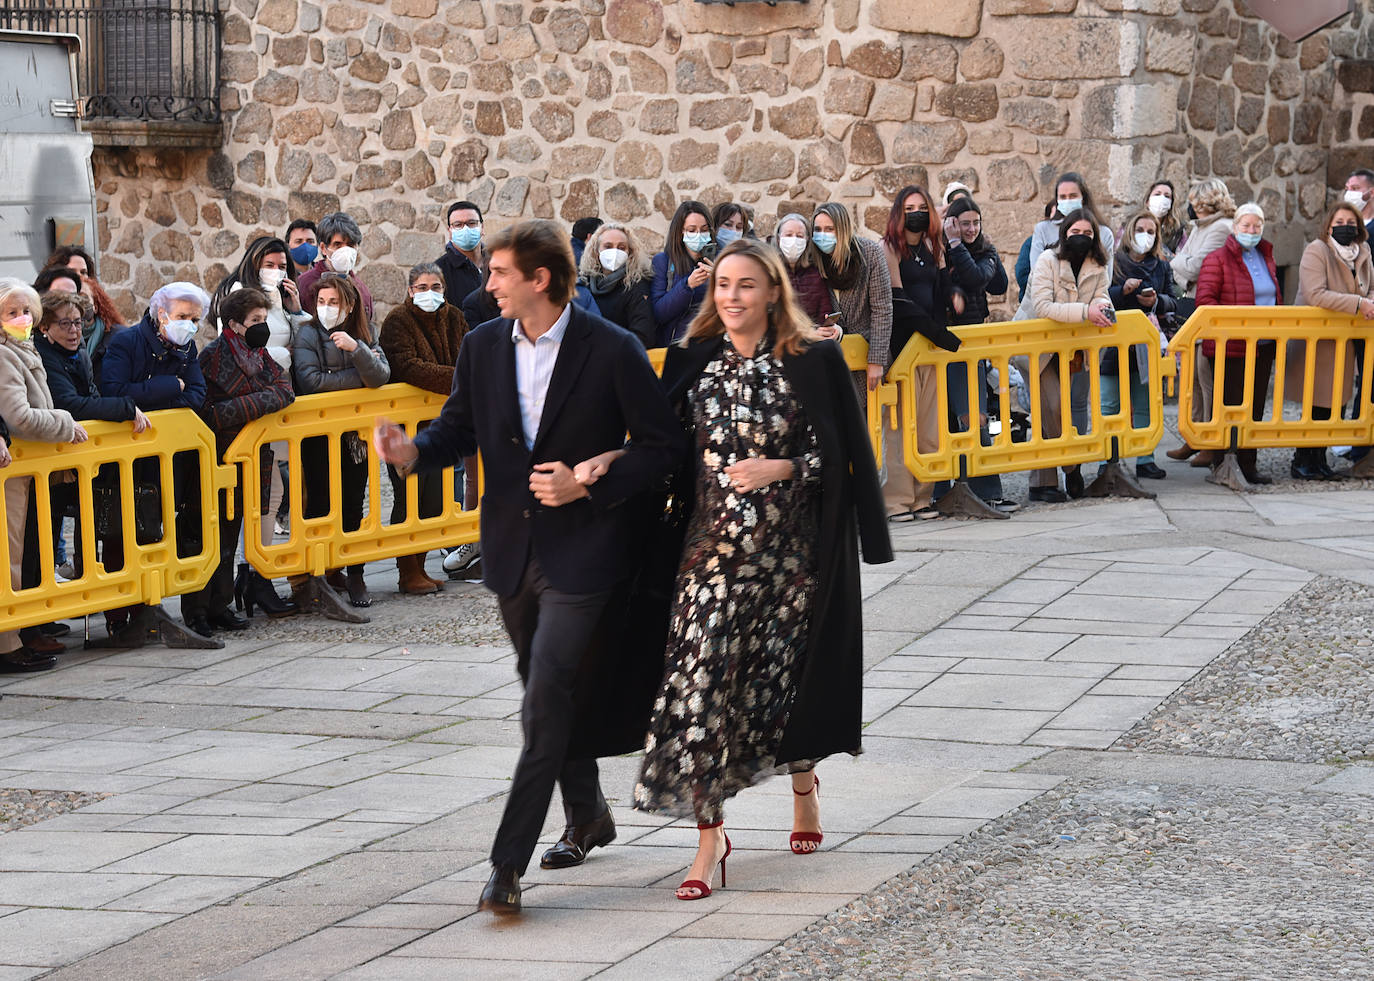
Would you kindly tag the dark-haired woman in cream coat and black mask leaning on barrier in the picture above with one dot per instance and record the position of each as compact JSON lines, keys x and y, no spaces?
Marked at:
{"x":1068,"y":284}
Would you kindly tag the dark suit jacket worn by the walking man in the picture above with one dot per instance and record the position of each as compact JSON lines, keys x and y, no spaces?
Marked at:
{"x":602,"y":387}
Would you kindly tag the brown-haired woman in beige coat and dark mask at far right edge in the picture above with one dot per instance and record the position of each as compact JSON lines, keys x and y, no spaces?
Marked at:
{"x":1336,"y":275}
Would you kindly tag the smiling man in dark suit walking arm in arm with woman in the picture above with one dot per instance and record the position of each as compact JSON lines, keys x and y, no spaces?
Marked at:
{"x":541,"y":391}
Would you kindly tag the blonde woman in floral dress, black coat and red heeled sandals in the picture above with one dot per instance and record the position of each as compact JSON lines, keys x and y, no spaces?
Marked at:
{"x":766,"y":641}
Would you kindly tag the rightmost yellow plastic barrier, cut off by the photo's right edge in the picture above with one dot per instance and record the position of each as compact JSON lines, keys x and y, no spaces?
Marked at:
{"x":1233,"y":425}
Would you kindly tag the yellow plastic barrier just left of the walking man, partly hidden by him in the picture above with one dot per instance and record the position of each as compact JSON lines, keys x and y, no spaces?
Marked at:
{"x":318,"y":545}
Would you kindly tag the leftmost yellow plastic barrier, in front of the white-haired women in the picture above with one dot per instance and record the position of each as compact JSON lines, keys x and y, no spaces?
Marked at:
{"x":150,"y":571}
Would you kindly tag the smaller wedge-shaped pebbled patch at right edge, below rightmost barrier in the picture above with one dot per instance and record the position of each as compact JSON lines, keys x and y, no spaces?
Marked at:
{"x":1298,"y":688}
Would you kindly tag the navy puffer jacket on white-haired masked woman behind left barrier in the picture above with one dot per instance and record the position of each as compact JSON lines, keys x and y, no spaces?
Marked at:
{"x":139,"y":365}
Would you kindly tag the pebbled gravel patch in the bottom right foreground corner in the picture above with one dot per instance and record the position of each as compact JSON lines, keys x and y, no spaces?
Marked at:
{"x":1120,"y":881}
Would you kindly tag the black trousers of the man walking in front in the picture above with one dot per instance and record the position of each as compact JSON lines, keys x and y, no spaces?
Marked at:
{"x":552,"y":633}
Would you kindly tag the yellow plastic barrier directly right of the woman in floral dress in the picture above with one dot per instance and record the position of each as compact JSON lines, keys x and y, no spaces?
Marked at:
{"x":998,"y":344}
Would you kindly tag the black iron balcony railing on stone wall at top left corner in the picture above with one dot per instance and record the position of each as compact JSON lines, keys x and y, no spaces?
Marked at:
{"x":141,"y":60}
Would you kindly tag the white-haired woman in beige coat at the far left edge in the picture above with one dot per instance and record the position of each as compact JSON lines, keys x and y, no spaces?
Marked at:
{"x":27,"y":409}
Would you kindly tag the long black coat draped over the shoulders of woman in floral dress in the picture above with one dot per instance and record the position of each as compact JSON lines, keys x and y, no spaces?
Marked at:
{"x":828,"y":710}
